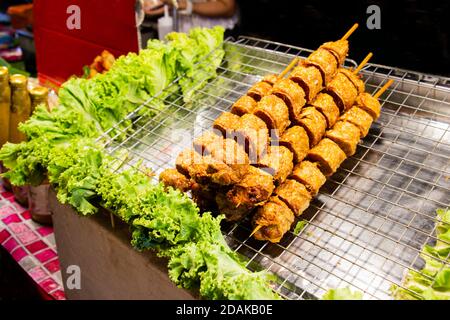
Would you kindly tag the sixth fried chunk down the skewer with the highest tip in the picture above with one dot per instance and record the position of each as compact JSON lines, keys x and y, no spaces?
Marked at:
{"x":253,"y":134}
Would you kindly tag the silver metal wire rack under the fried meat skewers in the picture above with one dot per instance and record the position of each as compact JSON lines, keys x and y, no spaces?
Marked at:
{"x":367,"y":226}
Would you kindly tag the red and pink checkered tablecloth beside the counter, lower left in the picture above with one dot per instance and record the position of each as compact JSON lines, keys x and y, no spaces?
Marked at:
{"x":31,"y":245}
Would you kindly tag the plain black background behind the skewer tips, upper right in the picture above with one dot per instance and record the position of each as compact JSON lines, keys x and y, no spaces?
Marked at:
{"x":414,"y":34}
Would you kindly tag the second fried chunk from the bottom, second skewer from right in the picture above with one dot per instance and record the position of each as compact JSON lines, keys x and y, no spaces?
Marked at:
{"x":279,"y":162}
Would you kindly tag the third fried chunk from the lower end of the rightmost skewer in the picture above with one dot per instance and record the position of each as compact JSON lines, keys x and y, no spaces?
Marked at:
{"x":309,"y":174}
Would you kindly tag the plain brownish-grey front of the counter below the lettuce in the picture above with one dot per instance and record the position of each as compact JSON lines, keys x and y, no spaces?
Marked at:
{"x":110,"y":267}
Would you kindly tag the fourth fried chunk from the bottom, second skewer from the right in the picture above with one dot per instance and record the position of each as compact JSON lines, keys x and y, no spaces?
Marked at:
{"x":314,"y":123}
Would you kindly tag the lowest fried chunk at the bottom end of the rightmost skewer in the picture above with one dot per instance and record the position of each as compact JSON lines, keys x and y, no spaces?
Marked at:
{"x":276,"y":219}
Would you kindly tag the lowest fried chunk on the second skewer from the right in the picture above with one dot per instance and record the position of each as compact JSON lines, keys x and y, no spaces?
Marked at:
{"x":254,"y":189}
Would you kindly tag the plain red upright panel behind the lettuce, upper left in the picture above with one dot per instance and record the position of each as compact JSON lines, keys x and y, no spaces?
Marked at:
{"x":62,"y":51}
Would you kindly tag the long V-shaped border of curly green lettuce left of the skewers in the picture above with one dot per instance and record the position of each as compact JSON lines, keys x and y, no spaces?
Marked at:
{"x":62,"y":148}
